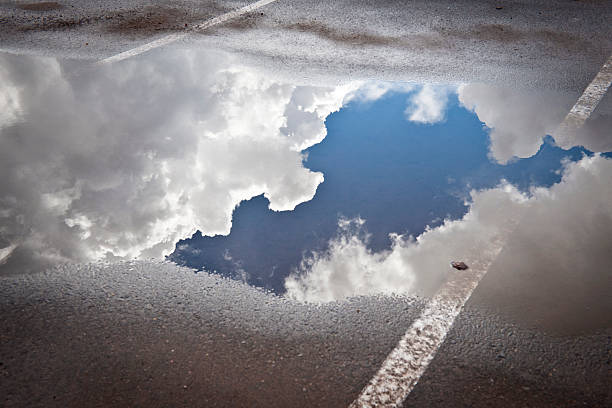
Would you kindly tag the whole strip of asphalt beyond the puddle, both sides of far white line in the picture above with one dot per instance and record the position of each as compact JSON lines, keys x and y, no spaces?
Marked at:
{"x":555,"y":45}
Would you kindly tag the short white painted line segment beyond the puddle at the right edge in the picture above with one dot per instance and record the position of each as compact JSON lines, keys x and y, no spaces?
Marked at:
{"x":585,"y":105}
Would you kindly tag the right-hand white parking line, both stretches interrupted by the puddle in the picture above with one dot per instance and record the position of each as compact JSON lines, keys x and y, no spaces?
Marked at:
{"x":404,"y":366}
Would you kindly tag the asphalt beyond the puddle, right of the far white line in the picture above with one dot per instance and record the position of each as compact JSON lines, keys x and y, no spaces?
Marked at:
{"x":558,"y":45}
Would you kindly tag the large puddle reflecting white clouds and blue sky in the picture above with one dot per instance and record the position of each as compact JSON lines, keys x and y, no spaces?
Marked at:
{"x":362,"y":187}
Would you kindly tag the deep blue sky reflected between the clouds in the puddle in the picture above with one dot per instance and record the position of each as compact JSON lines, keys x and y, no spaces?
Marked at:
{"x":398,"y":175}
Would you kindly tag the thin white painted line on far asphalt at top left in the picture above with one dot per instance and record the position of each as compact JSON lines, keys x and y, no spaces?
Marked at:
{"x":179,"y":36}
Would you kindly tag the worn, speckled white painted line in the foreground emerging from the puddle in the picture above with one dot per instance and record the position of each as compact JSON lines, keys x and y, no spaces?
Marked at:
{"x":403,"y":367}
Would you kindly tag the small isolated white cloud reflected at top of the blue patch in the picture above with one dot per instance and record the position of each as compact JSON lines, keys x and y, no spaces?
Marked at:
{"x":427,"y":105}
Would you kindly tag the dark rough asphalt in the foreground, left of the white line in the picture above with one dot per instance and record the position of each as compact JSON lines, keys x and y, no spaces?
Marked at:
{"x":147,"y":334}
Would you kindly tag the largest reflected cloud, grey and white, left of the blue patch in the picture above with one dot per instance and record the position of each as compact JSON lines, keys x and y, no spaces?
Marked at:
{"x":123,"y":161}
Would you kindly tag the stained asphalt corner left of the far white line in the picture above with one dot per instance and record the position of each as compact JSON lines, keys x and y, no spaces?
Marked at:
{"x":92,"y":30}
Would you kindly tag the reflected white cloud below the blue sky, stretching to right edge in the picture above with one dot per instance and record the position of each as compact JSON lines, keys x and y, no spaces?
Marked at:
{"x":575,"y":213}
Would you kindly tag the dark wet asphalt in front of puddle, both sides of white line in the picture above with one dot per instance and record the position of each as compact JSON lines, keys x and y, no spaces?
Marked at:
{"x":156,"y":335}
